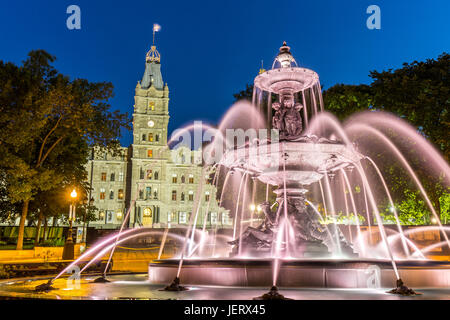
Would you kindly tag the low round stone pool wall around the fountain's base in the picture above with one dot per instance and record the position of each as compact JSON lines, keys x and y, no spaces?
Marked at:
{"x":307,"y":273}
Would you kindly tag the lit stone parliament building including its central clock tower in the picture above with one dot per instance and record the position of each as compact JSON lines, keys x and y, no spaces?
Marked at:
{"x":157,"y":183}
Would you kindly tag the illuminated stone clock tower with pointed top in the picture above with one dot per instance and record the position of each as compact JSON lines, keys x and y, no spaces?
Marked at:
{"x":149,"y":148}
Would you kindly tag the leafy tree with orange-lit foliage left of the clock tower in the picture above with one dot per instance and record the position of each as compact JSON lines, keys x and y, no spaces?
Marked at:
{"x":44,"y":115}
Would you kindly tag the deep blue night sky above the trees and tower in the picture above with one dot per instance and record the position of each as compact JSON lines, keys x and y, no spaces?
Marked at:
{"x":211,"y":49}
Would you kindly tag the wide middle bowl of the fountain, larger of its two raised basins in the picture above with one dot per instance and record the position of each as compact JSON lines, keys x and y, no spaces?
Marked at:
{"x":305,"y":159}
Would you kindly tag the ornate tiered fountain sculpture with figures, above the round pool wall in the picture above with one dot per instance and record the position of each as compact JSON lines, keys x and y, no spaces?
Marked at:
{"x":291,"y":164}
